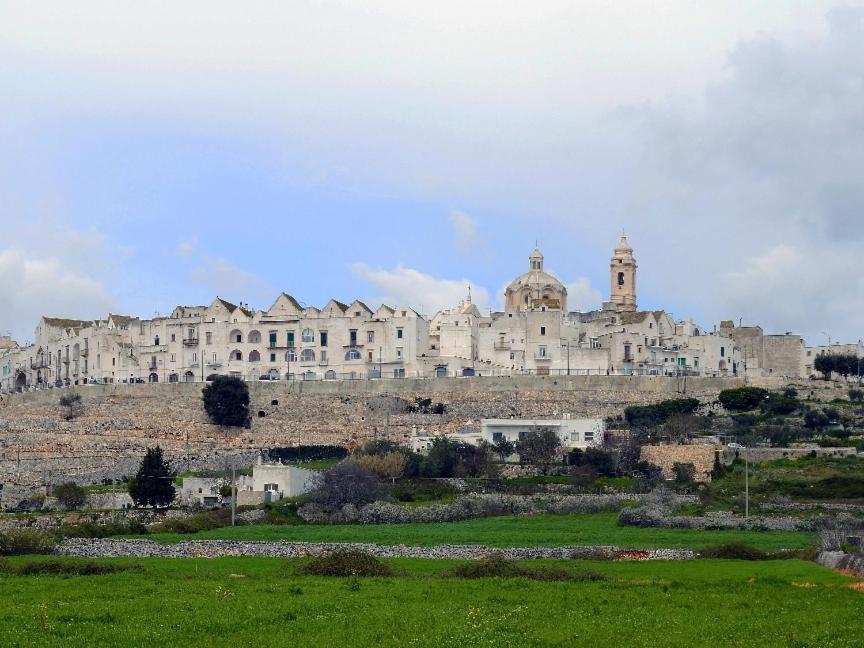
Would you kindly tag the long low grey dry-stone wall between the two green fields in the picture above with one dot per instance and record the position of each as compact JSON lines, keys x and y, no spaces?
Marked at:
{"x":106,"y":548}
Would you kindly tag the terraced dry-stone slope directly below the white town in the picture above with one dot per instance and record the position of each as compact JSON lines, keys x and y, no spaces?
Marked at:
{"x":120,"y":421}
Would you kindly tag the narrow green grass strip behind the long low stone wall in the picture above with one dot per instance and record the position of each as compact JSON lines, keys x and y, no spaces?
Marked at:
{"x":541,"y":530}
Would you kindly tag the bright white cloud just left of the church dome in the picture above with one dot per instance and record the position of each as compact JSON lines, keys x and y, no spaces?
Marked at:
{"x":422,"y":291}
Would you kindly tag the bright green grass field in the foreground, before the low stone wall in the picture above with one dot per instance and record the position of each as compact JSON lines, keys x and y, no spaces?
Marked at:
{"x":261,"y":602}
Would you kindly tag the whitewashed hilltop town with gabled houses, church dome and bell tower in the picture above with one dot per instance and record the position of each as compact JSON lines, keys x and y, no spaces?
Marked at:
{"x":536,"y":334}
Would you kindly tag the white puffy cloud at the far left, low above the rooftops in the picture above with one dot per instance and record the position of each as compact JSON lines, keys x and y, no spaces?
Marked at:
{"x":32,"y":286}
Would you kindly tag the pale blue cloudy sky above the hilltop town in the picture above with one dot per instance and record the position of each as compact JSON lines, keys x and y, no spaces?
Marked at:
{"x":156,"y":153}
